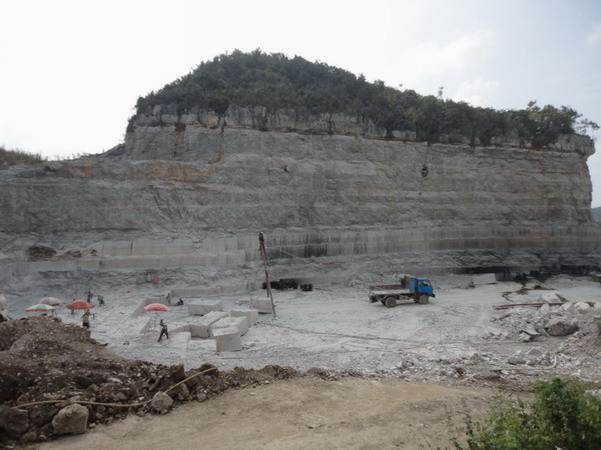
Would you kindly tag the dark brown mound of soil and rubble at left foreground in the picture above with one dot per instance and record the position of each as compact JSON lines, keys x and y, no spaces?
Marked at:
{"x":44,"y":360}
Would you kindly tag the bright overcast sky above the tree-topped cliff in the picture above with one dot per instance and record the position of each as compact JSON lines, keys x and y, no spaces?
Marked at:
{"x":71,"y":71}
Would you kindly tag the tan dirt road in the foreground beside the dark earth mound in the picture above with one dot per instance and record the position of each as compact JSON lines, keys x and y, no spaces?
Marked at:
{"x":365,"y":413}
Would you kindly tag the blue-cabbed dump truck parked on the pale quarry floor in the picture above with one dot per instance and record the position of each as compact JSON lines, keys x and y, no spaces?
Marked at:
{"x":411,"y":288}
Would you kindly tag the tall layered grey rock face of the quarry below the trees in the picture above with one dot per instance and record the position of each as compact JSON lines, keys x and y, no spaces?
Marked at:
{"x":193,"y":189}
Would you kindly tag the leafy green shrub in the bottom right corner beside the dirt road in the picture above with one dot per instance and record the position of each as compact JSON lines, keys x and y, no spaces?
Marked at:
{"x":562,"y":416}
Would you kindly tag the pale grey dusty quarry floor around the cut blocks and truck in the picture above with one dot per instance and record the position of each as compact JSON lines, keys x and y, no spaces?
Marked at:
{"x":457,"y":336}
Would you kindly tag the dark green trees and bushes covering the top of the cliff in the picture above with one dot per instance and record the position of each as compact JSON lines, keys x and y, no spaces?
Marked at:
{"x":277,"y":81}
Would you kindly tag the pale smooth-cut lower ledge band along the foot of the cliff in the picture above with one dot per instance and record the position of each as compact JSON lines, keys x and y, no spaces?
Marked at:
{"x":243,"y":249}
